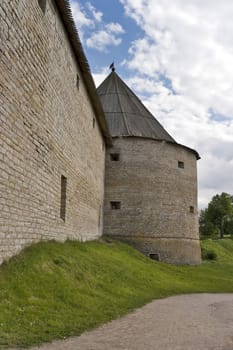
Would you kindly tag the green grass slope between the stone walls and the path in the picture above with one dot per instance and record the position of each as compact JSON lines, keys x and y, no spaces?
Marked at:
{"x":54,"y":290}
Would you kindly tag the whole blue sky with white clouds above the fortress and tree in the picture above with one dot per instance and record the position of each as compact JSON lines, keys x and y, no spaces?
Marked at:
{"x":177,"y":56}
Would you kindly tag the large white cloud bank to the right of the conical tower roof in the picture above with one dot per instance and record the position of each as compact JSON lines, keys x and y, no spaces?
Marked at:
{"x":190,"y":43}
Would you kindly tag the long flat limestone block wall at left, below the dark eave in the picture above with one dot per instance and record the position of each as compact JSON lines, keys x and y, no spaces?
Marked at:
{"x":46,"y":130}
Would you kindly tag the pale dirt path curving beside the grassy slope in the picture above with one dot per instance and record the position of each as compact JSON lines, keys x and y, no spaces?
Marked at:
{"x":187,"y":322}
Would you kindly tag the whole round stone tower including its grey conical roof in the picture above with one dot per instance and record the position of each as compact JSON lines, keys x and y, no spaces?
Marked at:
{"x":150,"y":181}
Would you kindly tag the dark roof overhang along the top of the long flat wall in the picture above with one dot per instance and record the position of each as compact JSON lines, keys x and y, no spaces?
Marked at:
{"x":67,"y":18}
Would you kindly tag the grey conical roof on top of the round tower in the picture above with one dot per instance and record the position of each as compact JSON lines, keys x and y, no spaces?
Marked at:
{"x":125,"y":113}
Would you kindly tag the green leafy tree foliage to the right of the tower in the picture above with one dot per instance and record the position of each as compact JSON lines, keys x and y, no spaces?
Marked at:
{"x":217,"y":218}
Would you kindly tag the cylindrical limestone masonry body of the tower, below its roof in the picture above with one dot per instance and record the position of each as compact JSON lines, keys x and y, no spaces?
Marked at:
{"x":156,"y":196}
